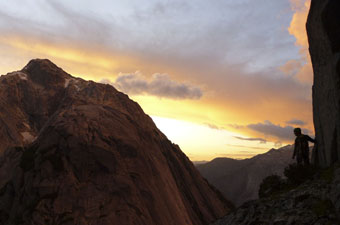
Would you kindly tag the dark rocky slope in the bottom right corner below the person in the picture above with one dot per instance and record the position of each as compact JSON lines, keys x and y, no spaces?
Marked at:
{"x":314,"y":203}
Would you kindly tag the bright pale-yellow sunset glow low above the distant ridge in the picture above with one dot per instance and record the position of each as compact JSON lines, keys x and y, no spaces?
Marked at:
{"x":200,"y":142}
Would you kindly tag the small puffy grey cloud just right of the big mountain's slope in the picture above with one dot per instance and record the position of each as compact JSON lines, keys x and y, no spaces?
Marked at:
{"x":160,"y":85}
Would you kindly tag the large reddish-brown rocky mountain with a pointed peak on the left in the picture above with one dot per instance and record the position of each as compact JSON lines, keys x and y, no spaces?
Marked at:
{"x":80,"y":152}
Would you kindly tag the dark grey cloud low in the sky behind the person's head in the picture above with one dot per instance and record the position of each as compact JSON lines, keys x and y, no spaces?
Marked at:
{"x":284,"y":133}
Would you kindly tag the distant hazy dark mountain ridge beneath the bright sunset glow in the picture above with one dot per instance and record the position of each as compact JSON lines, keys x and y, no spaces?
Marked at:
{"x":239,"y":180}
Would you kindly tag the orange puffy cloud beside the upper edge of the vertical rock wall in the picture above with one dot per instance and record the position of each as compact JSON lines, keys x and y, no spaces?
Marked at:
{"x":301,"y":68}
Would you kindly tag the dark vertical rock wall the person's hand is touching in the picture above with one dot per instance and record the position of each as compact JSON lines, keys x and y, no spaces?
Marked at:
{"x":323,"y":28}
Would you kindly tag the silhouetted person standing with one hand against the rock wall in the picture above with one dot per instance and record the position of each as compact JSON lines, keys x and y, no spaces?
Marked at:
{"x":301,"y":147}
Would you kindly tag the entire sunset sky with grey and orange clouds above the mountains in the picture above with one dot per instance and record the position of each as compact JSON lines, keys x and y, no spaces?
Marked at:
{"x":221,"y":78}
